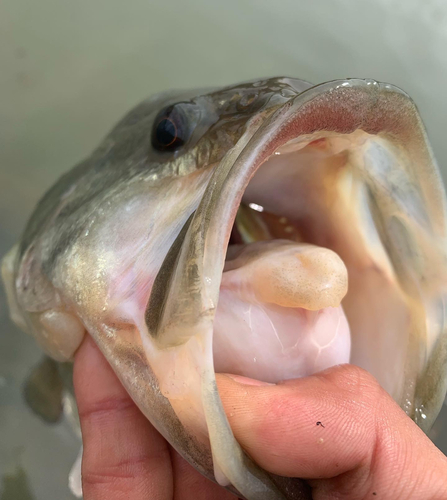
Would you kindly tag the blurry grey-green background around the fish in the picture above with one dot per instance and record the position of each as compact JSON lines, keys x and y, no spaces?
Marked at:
{"x":70,"y":69}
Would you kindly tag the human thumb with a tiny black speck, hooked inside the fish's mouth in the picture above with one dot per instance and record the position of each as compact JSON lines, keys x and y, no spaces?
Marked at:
{"x":338,"y":423}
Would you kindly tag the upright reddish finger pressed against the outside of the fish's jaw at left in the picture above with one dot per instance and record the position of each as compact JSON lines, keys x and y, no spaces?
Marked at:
{"x":124,"y":456}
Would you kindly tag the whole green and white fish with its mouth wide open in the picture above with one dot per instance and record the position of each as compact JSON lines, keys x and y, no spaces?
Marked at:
{"x":269,"y":229}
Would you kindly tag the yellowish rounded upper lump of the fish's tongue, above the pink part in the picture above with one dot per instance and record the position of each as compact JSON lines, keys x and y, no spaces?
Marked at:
{"x":287,"y":274}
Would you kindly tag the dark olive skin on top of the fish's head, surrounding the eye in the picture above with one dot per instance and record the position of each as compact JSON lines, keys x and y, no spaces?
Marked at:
{"x":126,"y":155}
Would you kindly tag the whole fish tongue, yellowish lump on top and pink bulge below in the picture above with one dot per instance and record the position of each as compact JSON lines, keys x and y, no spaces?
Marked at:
{"x":279,"y":314}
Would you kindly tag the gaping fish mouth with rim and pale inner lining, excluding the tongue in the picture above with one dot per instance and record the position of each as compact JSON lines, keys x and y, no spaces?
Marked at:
{"x":343,"y":162}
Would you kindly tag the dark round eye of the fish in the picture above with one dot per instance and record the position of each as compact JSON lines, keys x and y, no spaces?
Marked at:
{"x":171,"y":129}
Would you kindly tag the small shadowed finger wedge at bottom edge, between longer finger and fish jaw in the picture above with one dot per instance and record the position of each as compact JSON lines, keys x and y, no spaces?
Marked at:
{"x":189,"y":484}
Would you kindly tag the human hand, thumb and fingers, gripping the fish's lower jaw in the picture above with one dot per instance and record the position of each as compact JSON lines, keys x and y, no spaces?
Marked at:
{"x":338,"y":429}
